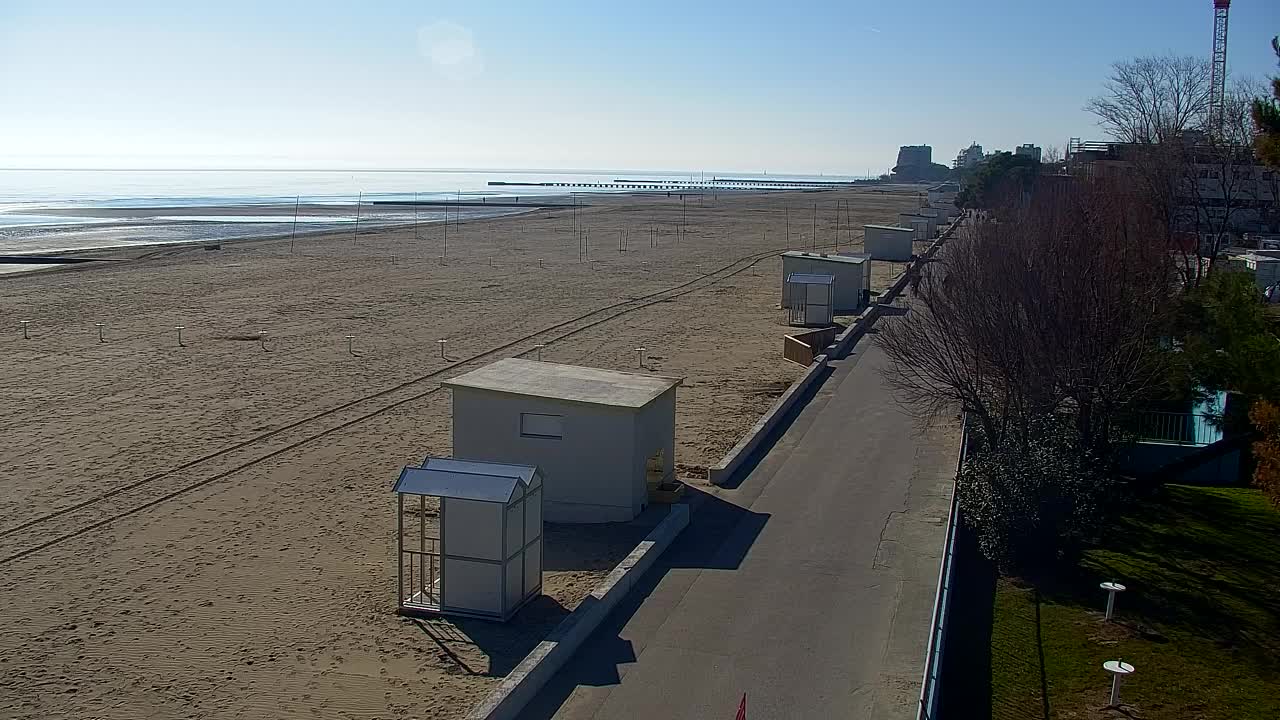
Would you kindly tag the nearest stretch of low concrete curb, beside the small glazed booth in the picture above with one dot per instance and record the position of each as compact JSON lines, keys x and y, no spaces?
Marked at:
{"x":527,"y":680}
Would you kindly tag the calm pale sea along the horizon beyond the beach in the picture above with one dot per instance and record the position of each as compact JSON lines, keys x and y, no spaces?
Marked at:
{"x":129,"y":208}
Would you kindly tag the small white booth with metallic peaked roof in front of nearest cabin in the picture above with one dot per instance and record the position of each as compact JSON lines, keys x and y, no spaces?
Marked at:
{"x":483,"y":557}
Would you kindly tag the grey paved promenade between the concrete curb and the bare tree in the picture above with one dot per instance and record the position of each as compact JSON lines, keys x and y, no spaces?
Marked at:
{"x":810,"y":587}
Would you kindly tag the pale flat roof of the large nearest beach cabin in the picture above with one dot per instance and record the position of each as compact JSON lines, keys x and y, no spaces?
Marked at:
{"x":573,"y":384}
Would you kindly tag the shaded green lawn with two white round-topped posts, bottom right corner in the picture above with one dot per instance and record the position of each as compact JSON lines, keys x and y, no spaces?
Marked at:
{"x":1201,"y":621}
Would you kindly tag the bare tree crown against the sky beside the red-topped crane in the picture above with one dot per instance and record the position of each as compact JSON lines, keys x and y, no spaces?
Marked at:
{"x":1154,"y":99}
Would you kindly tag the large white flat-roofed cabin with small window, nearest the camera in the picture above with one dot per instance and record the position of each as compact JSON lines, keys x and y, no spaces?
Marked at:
{"x":600,"y":438}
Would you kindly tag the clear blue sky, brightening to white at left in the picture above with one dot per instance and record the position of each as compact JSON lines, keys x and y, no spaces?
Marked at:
{"x":772,"y":86}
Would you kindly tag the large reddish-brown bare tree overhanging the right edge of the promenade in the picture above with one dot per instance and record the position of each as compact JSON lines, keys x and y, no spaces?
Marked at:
{"x":1055,"y":311}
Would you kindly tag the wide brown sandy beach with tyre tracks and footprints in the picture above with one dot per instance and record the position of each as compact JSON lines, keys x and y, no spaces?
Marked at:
{"x":207,"y":530}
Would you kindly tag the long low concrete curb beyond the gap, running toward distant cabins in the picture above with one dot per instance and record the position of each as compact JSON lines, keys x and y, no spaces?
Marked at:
{"x":724,"y":471}
